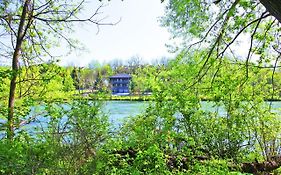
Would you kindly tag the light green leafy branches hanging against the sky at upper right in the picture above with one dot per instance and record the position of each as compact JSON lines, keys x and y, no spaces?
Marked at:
{"x":222,"y":28}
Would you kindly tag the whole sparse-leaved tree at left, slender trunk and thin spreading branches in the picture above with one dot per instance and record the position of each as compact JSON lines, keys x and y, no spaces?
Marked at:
{"x":29,"y":29}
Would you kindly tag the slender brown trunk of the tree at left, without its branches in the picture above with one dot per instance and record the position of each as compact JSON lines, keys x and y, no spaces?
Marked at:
{"x":15,"y":69}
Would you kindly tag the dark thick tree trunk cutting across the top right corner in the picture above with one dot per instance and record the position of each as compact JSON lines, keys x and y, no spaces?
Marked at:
{"x":273,"y":7}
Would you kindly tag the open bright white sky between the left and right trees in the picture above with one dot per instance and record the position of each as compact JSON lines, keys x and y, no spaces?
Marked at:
{"x":138,"y":33}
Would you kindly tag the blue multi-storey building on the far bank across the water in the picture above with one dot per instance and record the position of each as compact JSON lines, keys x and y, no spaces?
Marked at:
{"x":120,"y":83}
